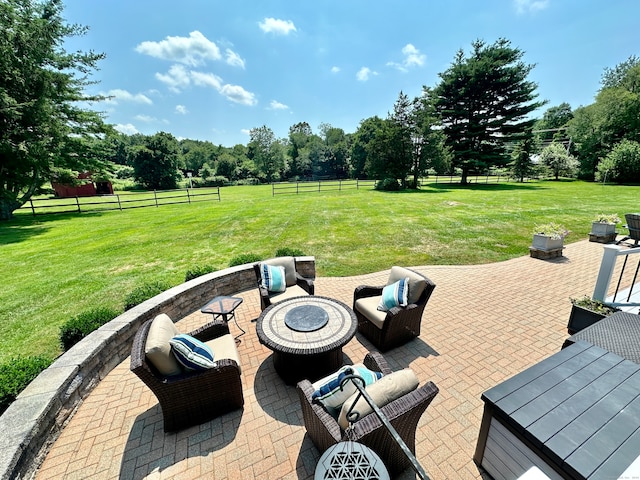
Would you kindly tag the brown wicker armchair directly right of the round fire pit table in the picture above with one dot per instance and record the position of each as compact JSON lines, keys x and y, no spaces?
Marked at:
{"x":390,"y":329}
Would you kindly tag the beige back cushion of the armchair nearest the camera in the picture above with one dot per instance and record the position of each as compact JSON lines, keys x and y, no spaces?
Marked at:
{"x":384,"y":391}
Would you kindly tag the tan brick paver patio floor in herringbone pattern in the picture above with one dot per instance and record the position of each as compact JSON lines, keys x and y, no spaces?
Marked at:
{"x":482,"y":325}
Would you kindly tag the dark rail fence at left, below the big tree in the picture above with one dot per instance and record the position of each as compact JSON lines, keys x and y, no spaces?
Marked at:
{"x":101,"y":203}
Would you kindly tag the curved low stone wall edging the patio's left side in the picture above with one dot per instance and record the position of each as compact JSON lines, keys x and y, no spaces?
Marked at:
{"x":32,"y":423}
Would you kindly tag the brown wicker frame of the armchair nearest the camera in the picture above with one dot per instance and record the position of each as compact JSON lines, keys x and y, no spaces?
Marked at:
{"x":403,"y":413}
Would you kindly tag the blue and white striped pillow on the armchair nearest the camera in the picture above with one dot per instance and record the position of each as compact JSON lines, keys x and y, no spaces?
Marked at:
{"x":327,"y":390}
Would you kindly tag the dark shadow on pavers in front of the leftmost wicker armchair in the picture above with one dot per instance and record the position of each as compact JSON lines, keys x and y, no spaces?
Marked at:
{"x":147,"y":438}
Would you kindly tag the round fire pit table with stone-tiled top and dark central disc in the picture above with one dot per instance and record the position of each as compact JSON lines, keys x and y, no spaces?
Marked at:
{"x":306,"y":335}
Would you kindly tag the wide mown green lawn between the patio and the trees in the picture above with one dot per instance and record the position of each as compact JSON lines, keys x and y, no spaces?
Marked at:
{"x":57,"y":266}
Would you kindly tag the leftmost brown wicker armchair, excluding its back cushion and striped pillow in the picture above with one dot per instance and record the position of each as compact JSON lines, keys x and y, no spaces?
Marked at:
{"x":192,"y":397}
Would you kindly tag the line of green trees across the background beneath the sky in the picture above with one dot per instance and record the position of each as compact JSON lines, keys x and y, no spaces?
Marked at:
{"x":476,"y":118}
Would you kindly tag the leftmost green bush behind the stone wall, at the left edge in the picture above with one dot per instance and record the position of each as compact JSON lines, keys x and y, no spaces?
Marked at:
{"x":16,"y":374}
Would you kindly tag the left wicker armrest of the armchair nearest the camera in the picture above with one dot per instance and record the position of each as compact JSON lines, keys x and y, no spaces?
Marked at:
{"x":321,"y":426}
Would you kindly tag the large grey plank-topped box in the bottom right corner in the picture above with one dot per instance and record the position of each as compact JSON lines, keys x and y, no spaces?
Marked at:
{"x":575,"y":415}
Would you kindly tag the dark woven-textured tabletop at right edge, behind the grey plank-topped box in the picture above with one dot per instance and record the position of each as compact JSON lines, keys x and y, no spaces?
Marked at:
{"x":618,"y":333}
